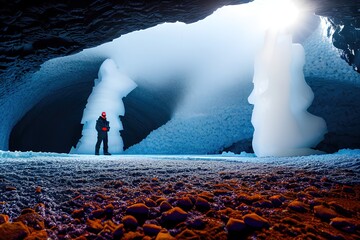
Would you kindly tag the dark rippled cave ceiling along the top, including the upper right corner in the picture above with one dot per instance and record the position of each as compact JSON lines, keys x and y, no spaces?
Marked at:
{"x":33,"y":32}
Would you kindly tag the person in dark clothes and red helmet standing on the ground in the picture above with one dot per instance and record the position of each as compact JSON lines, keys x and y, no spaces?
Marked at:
{"x":102,"y":127}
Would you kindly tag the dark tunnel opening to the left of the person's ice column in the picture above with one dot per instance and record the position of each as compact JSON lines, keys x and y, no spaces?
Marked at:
{"x":52,"y":125}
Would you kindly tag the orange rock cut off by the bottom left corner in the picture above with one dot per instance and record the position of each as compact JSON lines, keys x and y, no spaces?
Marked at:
{"x":13,"y":231}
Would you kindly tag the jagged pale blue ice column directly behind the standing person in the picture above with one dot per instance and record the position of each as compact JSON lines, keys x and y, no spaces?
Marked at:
{"x":108,"y":91}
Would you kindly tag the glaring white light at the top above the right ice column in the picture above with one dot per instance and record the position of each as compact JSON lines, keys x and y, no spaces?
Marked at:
{"x":279,"y":14}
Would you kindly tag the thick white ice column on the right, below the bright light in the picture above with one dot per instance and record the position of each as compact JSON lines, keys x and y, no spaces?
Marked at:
{"x":283,"y":127}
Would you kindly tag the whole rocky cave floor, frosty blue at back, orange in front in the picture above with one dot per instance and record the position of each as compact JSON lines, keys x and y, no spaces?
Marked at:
{"x":137,"y":197}
